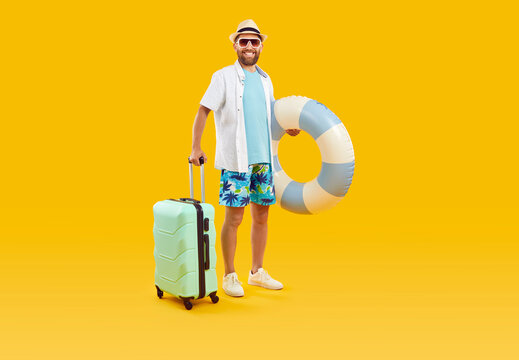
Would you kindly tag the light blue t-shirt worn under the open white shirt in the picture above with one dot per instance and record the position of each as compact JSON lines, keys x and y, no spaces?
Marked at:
{"x":256,"y":122}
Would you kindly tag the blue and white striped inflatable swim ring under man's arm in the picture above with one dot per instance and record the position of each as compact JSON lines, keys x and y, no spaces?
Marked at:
{"x":338,"y":160}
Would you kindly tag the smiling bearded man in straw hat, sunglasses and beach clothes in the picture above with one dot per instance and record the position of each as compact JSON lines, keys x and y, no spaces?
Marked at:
{"x":241,"y":95}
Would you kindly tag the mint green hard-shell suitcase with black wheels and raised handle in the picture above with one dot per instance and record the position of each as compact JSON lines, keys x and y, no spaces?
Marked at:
{"x":185,"y":255}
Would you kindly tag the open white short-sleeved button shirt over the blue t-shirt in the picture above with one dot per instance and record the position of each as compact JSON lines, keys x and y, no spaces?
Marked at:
{"x":224,"y":96}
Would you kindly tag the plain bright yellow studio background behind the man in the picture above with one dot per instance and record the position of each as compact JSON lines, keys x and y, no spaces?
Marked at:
{"x":419,"y":261}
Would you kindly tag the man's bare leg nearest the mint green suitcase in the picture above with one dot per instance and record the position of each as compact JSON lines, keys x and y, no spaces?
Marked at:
{"x":233,"y":218}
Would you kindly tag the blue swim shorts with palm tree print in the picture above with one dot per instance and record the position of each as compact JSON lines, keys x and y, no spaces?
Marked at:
{"x":256,"y":185}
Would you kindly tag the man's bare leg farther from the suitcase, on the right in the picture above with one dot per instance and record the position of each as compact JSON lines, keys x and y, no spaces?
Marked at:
{"x":260,"y":215}
